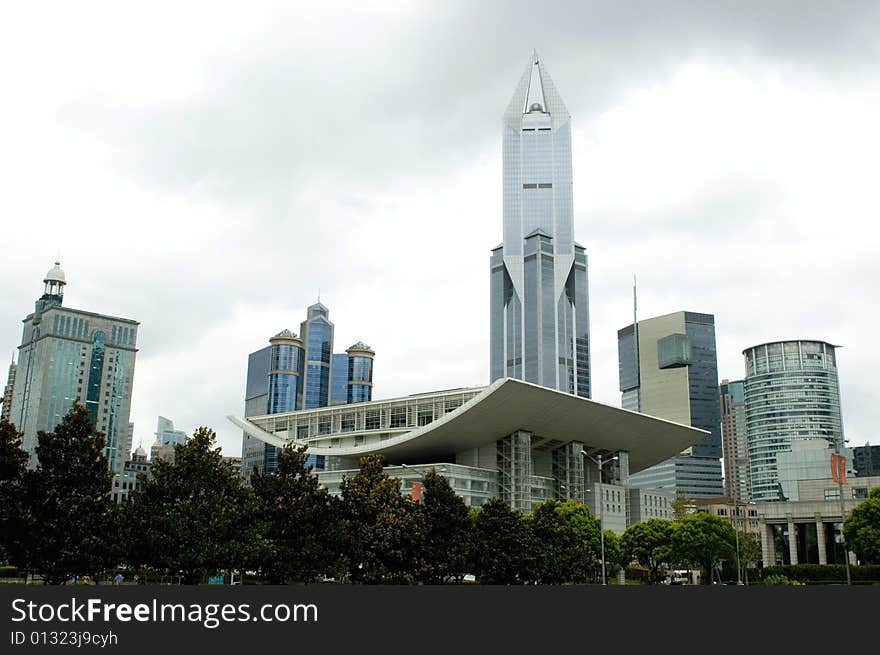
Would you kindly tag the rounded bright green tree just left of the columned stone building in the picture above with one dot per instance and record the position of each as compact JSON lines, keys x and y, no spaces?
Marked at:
{"x":704,"y":540}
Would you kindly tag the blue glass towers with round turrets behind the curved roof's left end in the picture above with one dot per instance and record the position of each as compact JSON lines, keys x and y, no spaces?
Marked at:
{"x":296,"y":373}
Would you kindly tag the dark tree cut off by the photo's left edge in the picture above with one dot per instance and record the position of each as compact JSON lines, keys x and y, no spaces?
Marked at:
{"x":15,"y":524}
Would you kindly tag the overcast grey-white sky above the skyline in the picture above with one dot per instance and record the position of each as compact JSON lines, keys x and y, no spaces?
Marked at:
{"x":205,"y":168}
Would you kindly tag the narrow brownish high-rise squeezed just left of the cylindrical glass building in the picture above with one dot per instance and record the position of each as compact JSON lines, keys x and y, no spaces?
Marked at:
{"x":734,"y":438}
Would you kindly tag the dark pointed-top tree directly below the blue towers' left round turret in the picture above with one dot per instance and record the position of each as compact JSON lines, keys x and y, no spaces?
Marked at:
{"x":299,"y":521}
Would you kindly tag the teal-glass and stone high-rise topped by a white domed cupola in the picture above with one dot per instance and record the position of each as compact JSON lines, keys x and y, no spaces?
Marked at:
{"x":70,"y":355}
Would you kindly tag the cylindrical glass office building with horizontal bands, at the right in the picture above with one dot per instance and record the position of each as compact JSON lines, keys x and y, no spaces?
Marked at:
{"x":792,"y":394}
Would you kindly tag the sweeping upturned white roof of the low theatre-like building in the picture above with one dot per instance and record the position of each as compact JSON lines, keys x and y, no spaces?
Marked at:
{"x":553,"y":417}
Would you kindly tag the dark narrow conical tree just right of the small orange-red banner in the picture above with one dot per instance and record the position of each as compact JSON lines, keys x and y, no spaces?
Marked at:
{"x":448,"y":532}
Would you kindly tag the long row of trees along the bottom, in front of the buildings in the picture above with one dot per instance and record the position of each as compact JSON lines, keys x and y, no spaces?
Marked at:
{"x":193,"y":517}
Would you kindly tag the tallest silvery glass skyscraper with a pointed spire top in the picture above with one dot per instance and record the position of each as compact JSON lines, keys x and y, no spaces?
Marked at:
{"x":539,"y":313}
